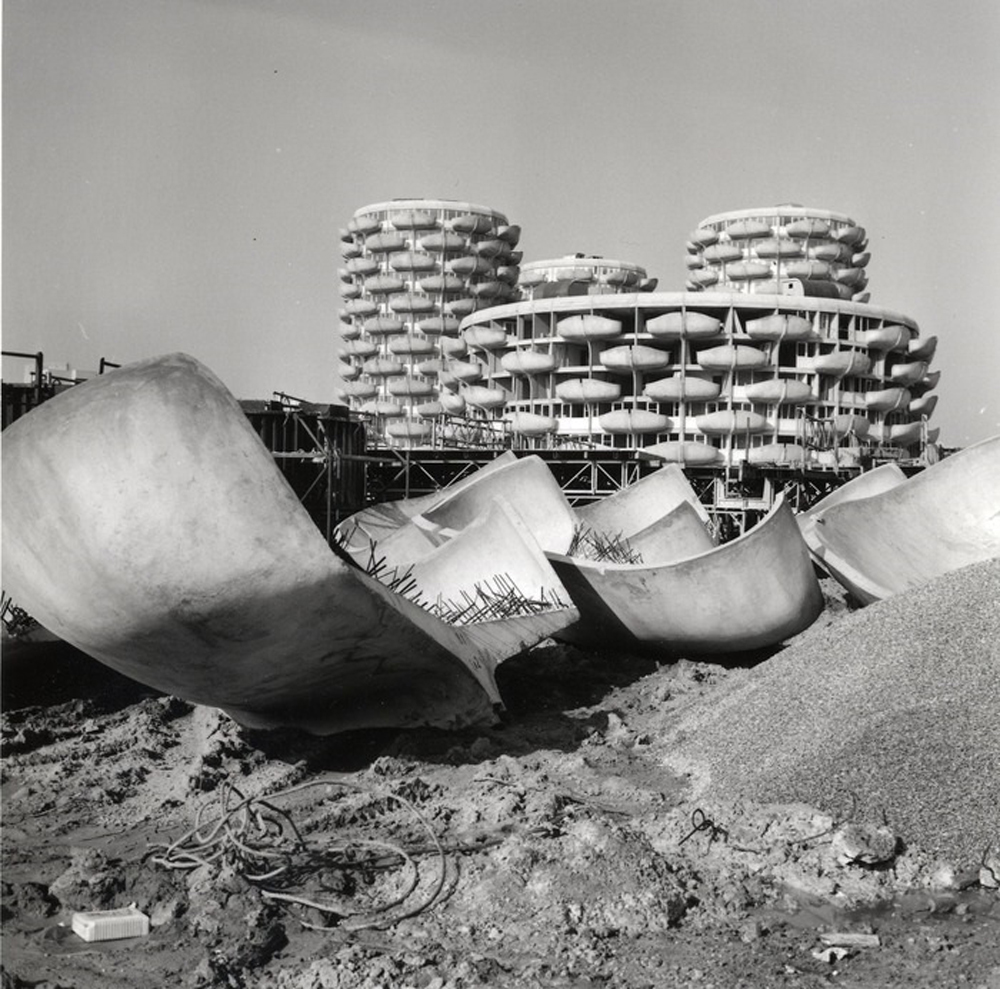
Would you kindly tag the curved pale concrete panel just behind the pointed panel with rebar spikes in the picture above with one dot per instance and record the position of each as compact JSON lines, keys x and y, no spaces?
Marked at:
{"x":529,"y":486}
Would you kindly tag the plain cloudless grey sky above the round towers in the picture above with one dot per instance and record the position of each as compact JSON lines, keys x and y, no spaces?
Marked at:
{"x":176,"y":172}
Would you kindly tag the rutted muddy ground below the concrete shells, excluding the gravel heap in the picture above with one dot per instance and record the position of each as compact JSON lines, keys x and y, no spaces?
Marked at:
{"x":552,"y":850}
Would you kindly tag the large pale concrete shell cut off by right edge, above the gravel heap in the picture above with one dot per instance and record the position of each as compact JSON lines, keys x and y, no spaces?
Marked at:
{"x":939,"y":520}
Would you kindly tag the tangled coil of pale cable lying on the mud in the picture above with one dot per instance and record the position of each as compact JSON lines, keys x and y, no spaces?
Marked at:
{"x":263,"y":844}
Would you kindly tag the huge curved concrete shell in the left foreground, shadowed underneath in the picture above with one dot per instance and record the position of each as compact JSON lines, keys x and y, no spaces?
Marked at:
{"x":146,"y":524}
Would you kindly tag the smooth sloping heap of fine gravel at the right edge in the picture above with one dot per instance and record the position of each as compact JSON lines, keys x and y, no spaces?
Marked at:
{"x":898,"y":704}
